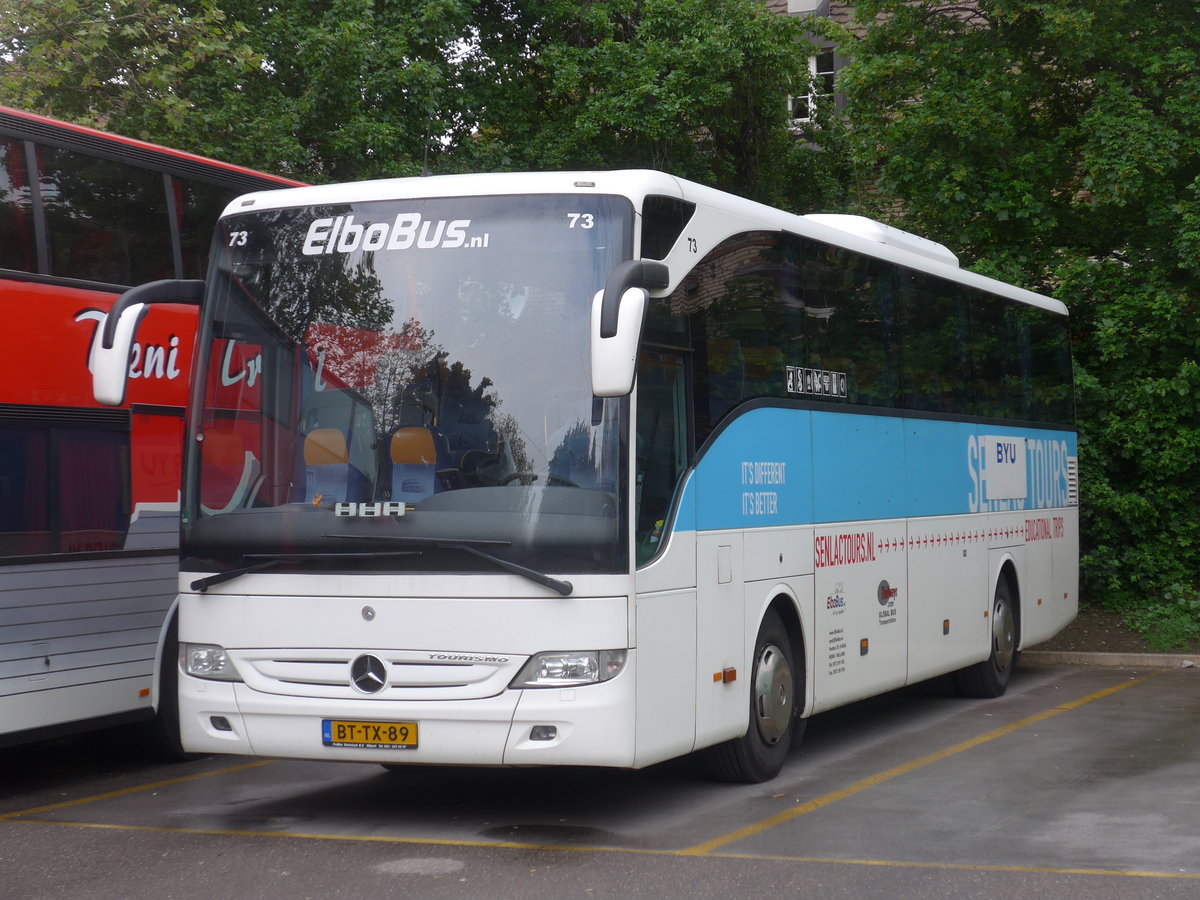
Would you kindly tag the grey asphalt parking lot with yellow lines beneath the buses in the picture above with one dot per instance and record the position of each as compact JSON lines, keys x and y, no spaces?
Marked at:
{"x":1082,"y":782}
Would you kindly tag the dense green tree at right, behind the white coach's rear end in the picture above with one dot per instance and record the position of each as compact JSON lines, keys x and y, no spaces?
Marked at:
{"x":1058,"y":145}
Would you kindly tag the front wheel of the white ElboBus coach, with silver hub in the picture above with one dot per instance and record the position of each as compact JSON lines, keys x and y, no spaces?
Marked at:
{"x":760,"y":754}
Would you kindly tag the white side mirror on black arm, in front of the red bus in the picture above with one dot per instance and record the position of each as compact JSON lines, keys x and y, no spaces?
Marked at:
{"x":110,"y":358}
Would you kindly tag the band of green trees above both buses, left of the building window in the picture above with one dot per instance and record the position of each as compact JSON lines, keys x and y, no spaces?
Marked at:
{"x":351,"y":89}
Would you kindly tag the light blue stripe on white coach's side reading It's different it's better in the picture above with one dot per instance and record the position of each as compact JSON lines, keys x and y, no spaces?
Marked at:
{"x":785,"y":467}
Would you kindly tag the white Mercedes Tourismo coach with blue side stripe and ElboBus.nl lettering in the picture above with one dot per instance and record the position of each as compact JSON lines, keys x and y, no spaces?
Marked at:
{"x":601,"y":469}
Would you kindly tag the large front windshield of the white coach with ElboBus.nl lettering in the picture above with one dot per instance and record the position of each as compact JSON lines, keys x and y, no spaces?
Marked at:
{"x":387,"y":385}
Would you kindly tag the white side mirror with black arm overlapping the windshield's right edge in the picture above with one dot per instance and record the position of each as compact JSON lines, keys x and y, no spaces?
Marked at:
{"x":617,"y":316}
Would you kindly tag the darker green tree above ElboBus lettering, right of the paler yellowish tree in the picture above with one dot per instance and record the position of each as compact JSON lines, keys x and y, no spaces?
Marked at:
{"x":347,"y":89}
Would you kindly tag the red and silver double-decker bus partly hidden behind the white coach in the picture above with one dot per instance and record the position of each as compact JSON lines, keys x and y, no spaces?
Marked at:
{"x":89,"y":495}
